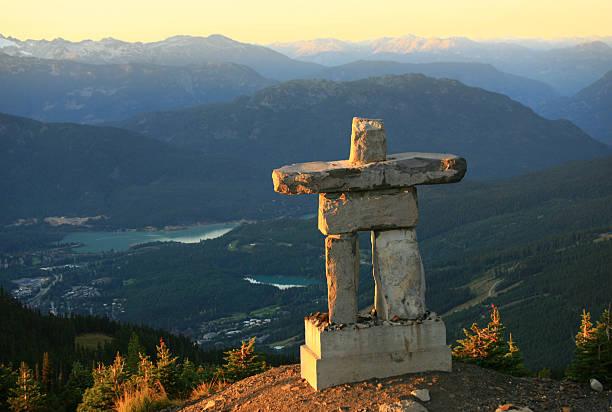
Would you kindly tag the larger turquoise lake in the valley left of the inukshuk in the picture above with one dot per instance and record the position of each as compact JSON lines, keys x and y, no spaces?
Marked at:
{"x":95,"y":242}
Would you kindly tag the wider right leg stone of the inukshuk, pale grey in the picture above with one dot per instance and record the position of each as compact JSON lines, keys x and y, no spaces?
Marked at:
{"x":398,"y":274}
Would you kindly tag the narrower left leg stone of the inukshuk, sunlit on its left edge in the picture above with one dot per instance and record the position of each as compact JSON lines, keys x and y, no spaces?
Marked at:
{"x":342,"y":270}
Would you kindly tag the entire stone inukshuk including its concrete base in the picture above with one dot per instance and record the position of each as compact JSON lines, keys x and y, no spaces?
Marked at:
{"x":374,"y":192}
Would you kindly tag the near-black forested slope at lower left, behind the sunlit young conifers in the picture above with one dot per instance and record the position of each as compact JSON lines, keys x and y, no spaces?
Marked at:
{"x":27,"y":335}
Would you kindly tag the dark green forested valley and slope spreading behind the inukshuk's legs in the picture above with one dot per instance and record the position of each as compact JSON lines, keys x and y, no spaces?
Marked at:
{"x":530,"y":239}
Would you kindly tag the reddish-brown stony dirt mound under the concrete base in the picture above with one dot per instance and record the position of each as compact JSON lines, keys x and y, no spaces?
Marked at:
{"x":466,"y":388}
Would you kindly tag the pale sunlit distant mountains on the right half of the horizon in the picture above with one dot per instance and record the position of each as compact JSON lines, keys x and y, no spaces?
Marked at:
{"x":568,"y":68}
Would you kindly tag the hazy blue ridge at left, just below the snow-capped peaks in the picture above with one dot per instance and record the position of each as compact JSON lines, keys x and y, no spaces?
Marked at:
{"x":66,"y":90}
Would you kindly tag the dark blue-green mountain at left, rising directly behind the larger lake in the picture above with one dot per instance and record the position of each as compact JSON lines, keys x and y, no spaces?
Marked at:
{"x":64,"y":169}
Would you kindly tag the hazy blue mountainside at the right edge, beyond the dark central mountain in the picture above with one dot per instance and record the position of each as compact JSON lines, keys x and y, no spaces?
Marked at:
{"x":591,"y":109}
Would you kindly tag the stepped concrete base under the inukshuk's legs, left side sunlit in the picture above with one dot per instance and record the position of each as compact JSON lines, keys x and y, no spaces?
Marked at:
{"x":352,"y":354}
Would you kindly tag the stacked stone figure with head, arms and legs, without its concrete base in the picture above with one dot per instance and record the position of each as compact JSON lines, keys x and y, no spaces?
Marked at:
{"x":375,"y":192}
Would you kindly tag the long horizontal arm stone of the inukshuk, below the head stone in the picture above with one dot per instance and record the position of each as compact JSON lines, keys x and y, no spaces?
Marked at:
{"x":399,"y":170}
